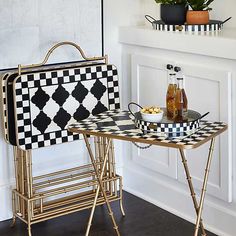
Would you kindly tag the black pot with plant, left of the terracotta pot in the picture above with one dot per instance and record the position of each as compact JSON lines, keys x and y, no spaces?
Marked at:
{"x":173,"y":11}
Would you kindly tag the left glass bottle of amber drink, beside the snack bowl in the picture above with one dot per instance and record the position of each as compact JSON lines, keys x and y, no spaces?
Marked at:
{"x":170,"y":97}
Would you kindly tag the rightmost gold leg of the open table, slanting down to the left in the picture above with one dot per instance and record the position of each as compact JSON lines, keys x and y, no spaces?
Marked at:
{"x":203,"y":193}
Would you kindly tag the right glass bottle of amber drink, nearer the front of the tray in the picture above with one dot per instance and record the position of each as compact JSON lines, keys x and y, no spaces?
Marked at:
{"x":181,"y":102}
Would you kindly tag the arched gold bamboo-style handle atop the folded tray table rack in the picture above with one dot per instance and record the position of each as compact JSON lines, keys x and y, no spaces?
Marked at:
{"x":50,"y":51}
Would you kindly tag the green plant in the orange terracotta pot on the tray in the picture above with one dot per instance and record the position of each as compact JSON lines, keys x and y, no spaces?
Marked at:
{"x":199,"y":14}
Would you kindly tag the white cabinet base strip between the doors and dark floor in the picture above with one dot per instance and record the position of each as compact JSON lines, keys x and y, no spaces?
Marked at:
{"x":216,"y":220}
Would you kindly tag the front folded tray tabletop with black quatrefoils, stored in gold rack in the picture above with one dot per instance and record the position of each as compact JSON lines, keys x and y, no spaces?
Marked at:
{"x":47,"y":102}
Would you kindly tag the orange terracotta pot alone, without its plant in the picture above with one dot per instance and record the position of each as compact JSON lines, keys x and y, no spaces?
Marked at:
{"x":197,"y":17}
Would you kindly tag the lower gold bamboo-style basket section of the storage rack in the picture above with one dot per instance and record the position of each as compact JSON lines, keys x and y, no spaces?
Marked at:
{"x":36,"y":210}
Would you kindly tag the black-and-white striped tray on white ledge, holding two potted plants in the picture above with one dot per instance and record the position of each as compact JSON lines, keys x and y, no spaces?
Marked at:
{"x":214,"y":25}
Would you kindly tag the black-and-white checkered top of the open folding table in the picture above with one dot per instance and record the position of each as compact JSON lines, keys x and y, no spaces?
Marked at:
{"x":120,"y":124}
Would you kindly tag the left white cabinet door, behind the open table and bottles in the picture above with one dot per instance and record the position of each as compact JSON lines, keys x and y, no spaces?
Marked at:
{"x":149,"y":84}
